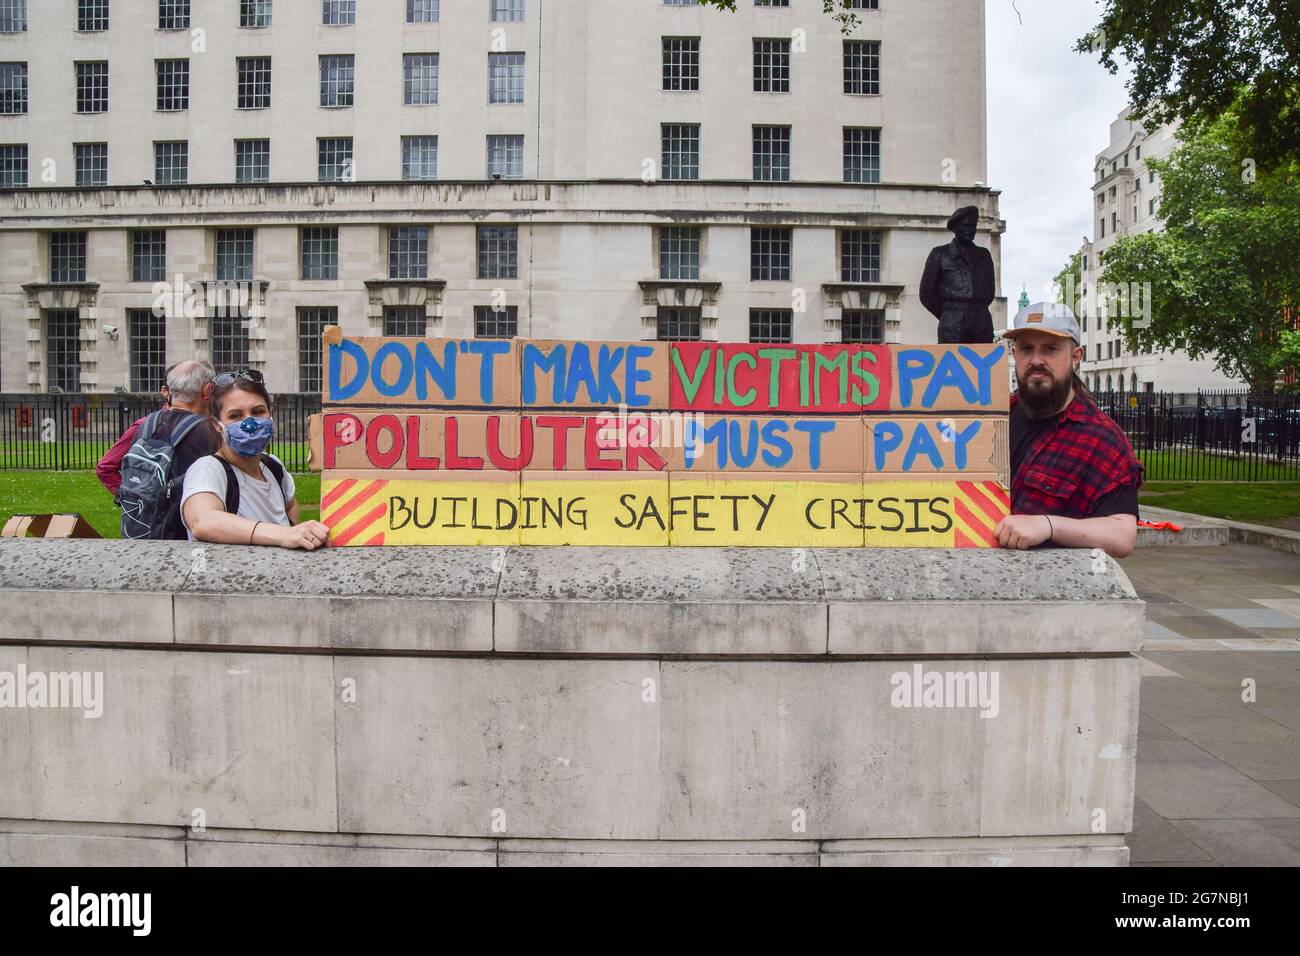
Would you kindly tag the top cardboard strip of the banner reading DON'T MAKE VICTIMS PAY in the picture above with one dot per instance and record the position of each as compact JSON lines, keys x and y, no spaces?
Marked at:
{"x":679,"y":377}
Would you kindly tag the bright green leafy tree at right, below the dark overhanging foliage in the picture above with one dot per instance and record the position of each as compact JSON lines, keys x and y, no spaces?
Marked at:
{"x":1227,"y":269}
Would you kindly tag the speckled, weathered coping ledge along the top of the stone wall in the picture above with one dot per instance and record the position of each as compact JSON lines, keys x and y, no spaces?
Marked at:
{"x":569,"y":602}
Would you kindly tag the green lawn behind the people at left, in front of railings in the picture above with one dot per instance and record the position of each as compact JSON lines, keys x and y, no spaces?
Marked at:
{"x":67,"y":492}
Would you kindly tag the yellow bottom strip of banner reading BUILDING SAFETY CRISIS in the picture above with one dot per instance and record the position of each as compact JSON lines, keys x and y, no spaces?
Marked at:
{"x":699,"y":511}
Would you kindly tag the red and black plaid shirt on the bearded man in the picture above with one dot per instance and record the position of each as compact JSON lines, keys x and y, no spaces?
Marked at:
{"x":1072,"y":466}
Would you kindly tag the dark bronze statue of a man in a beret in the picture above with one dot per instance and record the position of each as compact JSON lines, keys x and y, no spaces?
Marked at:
{"x":957,"y":285}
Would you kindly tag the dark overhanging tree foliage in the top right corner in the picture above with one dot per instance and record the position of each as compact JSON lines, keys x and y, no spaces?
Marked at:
{"x":1194,"y":59}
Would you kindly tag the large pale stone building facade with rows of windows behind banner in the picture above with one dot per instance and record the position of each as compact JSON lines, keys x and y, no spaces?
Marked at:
{"x":544,"y":168}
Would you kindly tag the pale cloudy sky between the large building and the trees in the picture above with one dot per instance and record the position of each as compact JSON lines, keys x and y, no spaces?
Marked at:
{"x":1050,"y":111}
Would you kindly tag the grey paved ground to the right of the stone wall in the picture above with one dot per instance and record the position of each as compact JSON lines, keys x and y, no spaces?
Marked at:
{"x":1219,"y":743}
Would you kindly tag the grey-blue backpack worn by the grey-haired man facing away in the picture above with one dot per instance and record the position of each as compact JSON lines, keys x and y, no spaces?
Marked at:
{"x":149,"y":474}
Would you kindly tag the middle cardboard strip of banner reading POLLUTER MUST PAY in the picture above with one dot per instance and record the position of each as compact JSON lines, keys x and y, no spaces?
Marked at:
{"x":657,"y":443}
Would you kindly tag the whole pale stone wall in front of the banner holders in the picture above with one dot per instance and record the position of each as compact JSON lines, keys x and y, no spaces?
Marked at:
{"x":566,"y":706}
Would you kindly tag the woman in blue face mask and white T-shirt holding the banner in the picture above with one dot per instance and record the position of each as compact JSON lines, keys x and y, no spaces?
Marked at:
{"x":244,"y":496}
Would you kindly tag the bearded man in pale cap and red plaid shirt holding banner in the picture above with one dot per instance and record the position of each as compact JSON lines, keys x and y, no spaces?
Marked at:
{"x":1074,"y":477}
